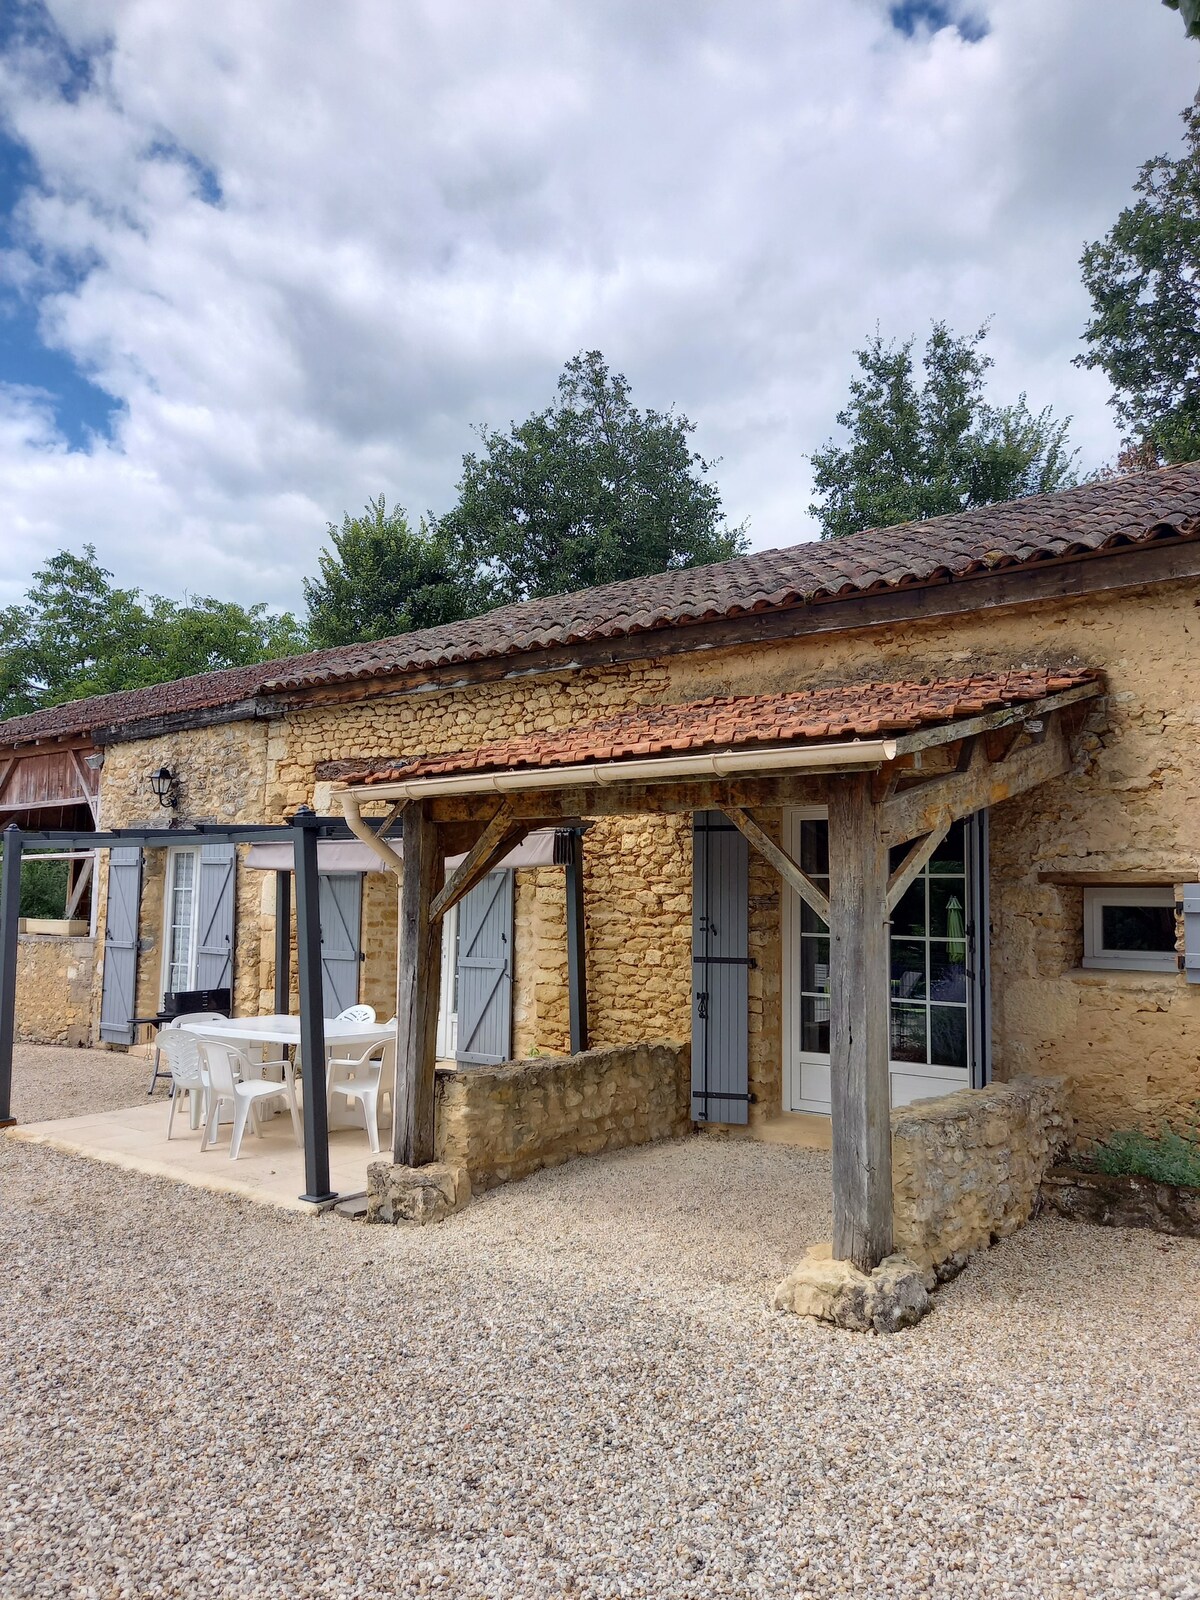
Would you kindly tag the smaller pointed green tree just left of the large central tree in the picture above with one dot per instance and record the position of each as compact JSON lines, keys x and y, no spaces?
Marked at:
{"x":380,"y":578}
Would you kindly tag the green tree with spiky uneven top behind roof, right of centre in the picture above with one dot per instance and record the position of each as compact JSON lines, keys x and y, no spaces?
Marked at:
{"x":922,"y":446}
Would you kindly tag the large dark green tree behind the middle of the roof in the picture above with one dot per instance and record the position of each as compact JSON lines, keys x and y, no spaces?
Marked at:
{"x":588,"y":492}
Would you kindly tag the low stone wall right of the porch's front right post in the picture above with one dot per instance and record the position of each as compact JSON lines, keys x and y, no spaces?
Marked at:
{"x":967,"y":1167}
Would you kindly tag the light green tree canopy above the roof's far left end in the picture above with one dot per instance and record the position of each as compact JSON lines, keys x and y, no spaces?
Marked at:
{"x":78,"y":634}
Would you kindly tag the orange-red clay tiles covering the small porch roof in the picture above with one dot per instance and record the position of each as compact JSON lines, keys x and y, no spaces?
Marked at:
{"x":740,"y":721}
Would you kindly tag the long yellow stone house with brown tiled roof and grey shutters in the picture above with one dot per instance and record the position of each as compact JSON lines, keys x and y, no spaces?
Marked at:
{"x":1042,"y":932}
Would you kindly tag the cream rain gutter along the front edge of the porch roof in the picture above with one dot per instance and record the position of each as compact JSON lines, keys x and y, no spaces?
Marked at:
{"x":862,"y":754}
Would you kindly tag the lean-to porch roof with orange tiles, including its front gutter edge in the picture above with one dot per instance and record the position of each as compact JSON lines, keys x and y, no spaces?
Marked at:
{"x":847,"y":724}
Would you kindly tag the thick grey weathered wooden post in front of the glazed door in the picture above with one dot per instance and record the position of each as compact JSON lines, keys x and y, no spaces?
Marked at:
{"x":858,"y":1036}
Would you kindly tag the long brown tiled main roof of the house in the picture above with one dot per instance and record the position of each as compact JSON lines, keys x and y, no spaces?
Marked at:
{"x":1020,"y":534}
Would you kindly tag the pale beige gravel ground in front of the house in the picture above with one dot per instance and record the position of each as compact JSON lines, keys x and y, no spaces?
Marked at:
{"x":575,"y":1388}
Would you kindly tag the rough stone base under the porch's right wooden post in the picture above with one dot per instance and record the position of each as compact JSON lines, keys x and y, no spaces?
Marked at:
{"x":894,"y":1297}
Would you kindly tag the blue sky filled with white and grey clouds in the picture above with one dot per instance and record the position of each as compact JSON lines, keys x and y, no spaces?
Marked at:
{"x":260,"y":263}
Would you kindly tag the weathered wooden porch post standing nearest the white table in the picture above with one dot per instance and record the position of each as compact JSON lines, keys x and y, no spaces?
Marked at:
{"x":418,"y":991}
